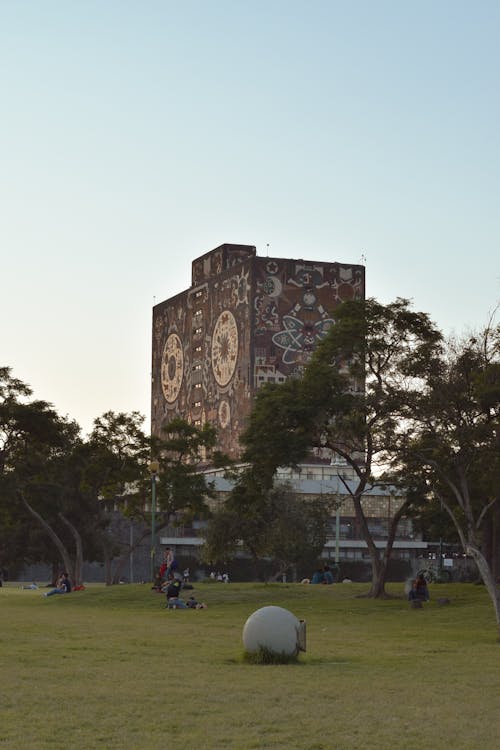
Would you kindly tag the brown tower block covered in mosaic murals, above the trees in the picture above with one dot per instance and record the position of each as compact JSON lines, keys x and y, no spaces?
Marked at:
{"x":245,"y":320}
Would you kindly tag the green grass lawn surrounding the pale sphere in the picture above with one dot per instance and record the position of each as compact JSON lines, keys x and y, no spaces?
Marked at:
{"x":111,"y":668}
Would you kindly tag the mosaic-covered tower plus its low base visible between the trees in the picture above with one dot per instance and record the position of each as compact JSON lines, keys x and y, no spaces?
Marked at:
{"x":245,"y":321}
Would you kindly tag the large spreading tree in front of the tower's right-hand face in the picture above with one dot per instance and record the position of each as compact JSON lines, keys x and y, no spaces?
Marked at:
{"x":349,"y":402}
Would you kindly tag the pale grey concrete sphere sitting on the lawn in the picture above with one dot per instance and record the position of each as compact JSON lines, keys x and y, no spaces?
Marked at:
{"x":273,"y":628}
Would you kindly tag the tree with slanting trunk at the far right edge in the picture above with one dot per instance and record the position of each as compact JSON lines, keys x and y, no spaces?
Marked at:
{"x":452,"y":446}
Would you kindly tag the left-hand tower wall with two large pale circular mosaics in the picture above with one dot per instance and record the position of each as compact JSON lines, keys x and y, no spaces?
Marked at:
{"x":202,"y":351}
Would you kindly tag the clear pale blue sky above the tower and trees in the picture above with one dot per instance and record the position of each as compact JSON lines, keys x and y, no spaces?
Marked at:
{"x":136,"y":136}
